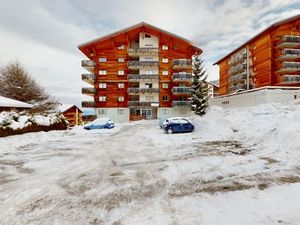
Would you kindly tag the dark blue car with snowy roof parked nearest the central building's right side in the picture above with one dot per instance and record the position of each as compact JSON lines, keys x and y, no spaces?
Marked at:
{"x":178,"y":125}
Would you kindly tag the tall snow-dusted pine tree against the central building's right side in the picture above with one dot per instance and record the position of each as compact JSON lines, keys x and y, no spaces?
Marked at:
{"x":199,"y":99}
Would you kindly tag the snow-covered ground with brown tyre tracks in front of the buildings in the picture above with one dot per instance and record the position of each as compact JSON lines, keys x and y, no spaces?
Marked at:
{"x":240,"y":166}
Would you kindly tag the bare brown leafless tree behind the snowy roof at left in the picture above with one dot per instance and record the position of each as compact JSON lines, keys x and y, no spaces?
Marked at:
{"x":16,"y":83}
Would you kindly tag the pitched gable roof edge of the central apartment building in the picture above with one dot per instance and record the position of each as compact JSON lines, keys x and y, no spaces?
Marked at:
{"x":142,"y":24}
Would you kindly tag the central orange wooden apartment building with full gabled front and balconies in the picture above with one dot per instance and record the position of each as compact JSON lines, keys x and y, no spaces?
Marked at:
{"x":138,"y":72}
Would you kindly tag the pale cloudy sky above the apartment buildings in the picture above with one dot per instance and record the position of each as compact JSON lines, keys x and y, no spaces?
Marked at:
{"x":43,"y":35}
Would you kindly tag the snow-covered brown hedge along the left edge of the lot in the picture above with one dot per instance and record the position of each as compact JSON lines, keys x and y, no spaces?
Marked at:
{"x":12,"y":123}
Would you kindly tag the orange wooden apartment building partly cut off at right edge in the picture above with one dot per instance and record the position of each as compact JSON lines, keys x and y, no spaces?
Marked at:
{"x":271,"y":58}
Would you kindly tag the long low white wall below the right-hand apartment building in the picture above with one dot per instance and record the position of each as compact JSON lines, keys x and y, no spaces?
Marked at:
{"x":257,"y":97}
